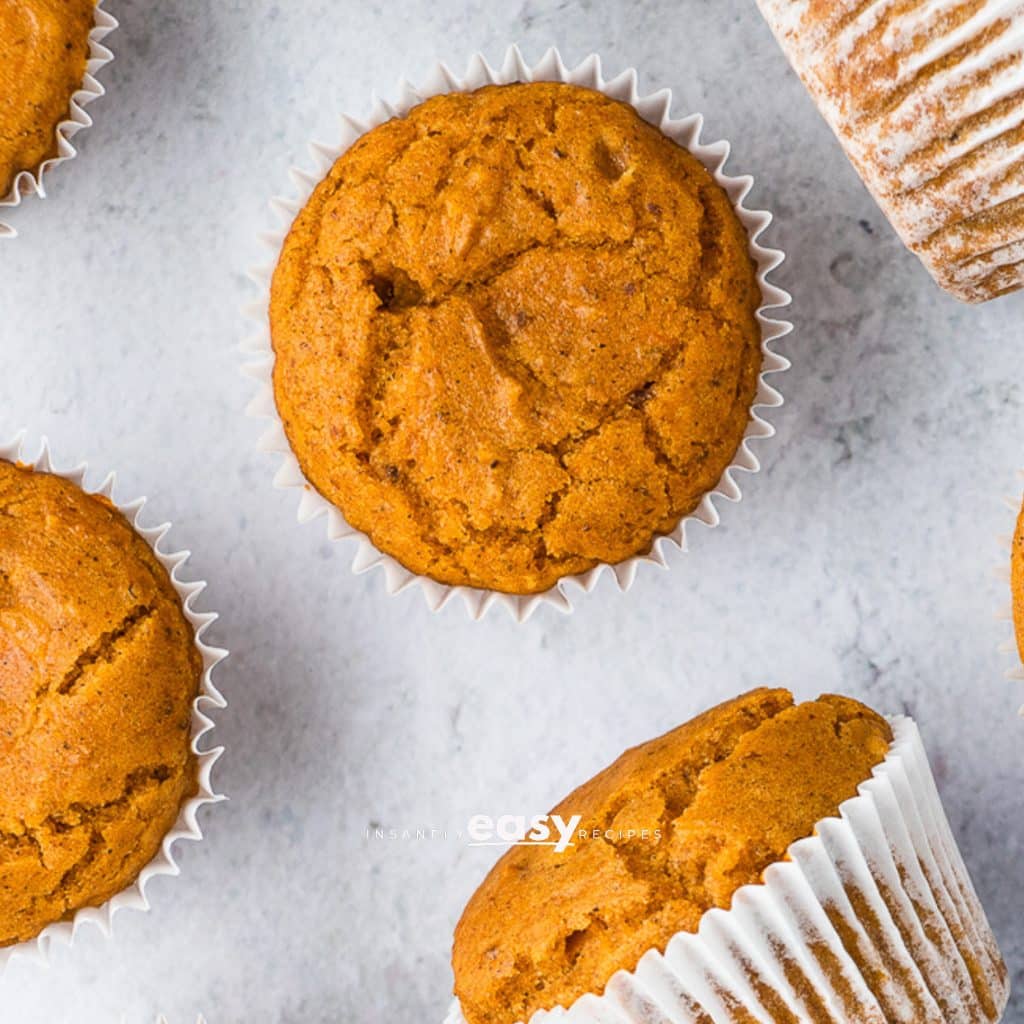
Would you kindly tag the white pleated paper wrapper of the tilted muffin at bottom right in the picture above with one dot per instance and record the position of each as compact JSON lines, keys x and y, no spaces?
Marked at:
{"x":873,"y":919}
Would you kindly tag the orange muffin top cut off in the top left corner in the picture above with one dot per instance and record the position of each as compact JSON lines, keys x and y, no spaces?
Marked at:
{"x":45,"y":48}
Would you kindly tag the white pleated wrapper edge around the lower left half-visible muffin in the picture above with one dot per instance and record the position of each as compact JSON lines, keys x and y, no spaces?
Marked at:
{"x":187,"y":827}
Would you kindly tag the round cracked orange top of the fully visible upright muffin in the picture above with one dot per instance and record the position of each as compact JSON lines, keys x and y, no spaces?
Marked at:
{"x":516,"y":335}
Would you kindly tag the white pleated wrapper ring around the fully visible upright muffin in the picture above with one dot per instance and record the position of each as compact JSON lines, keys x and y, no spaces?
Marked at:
{"x":655,"y":108}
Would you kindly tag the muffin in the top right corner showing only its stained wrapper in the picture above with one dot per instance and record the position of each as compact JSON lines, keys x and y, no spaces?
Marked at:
{"x":926,"y":102}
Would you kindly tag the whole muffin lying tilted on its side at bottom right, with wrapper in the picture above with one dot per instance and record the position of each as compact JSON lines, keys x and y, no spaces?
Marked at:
{"x":676,"y":827}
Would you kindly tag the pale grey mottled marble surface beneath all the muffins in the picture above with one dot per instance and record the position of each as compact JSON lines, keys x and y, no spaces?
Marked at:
{"x":864,"y":559}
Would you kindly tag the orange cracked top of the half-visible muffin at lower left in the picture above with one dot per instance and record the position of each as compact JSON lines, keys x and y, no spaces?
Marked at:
{"x":99,"y":669}
